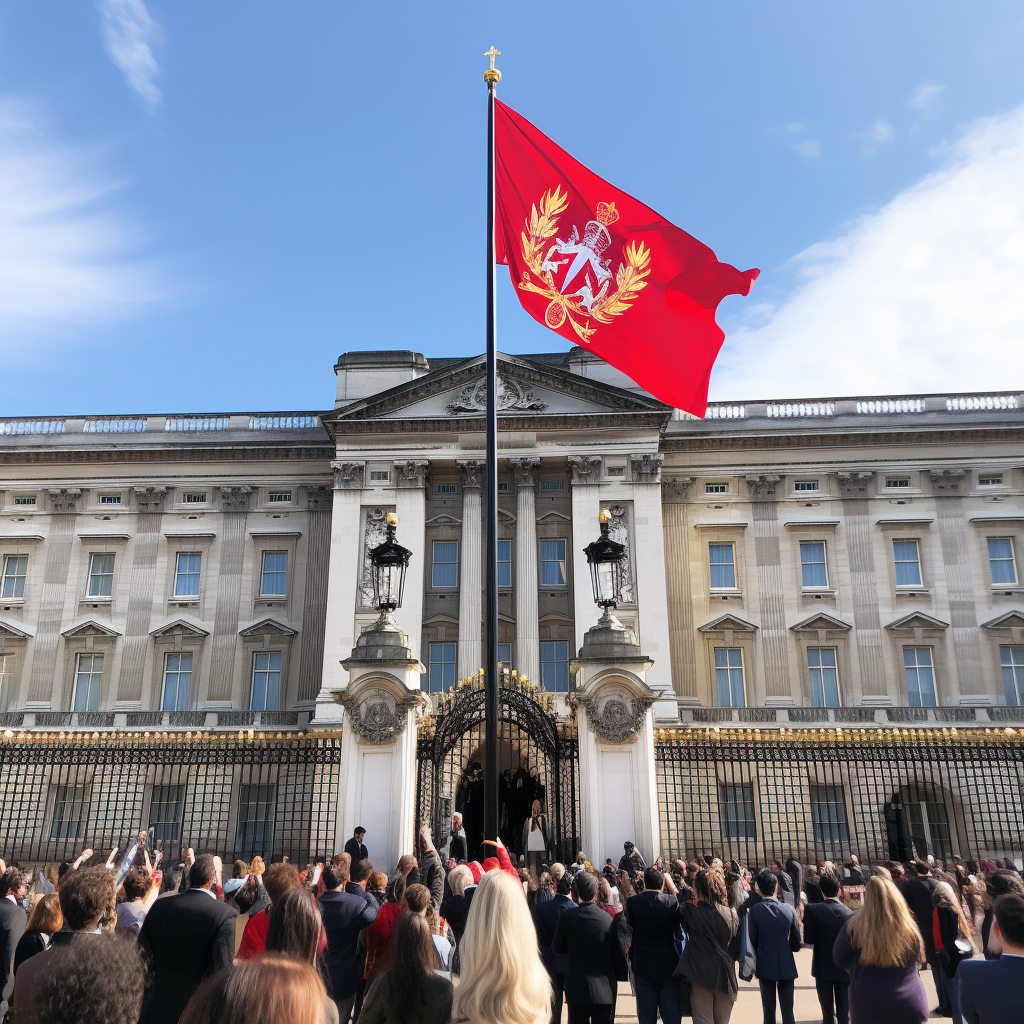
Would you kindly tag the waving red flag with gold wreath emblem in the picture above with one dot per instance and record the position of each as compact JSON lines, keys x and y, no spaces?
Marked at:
{"x":604,"y":271}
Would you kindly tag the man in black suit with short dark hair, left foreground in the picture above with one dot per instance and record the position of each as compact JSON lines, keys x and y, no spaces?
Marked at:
{"x":188,"y":937}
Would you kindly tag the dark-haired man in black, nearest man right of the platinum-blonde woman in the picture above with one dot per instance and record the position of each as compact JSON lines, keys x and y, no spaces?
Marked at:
{"x":590,"y":938}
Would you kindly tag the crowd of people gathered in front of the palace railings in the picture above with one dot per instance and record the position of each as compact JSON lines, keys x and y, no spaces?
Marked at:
{"x":500,"y":942}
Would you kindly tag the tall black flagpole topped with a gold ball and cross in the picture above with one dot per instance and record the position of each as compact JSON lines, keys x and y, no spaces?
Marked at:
{"x":492,"y":77}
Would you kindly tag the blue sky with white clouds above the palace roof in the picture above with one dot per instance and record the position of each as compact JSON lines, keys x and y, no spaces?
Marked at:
{"x":203,"y":204}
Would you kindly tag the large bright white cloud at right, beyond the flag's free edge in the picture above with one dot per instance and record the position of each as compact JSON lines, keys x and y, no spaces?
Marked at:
{"x":923,"y":295}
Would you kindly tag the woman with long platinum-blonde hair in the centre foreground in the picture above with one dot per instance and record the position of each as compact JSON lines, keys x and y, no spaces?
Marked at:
{"x":503,"y":979}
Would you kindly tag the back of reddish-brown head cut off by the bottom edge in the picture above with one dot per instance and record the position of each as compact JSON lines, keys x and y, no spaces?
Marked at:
{"x":271,"y":990}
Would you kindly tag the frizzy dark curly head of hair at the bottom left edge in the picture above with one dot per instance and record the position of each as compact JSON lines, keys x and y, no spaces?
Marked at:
{"x":96,"y":978}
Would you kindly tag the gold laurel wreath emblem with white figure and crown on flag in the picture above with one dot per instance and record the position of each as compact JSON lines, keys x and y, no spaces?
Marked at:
{"x":600,"y":294}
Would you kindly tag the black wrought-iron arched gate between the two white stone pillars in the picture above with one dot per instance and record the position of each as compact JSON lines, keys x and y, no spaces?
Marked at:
{"x":539,"y":758}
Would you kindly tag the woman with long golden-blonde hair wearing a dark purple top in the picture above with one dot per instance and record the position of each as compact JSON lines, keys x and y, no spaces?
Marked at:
{"x":882,"y":951}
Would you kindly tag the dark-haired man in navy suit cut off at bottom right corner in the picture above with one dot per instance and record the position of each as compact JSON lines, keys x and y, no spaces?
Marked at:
{"x":991,"y":992}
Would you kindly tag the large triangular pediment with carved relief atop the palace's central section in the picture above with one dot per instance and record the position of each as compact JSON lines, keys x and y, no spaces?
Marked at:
{"x":526,"y":390}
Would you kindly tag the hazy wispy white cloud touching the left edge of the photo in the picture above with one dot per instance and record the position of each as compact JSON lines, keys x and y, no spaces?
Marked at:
{"x":67,"y":263}
